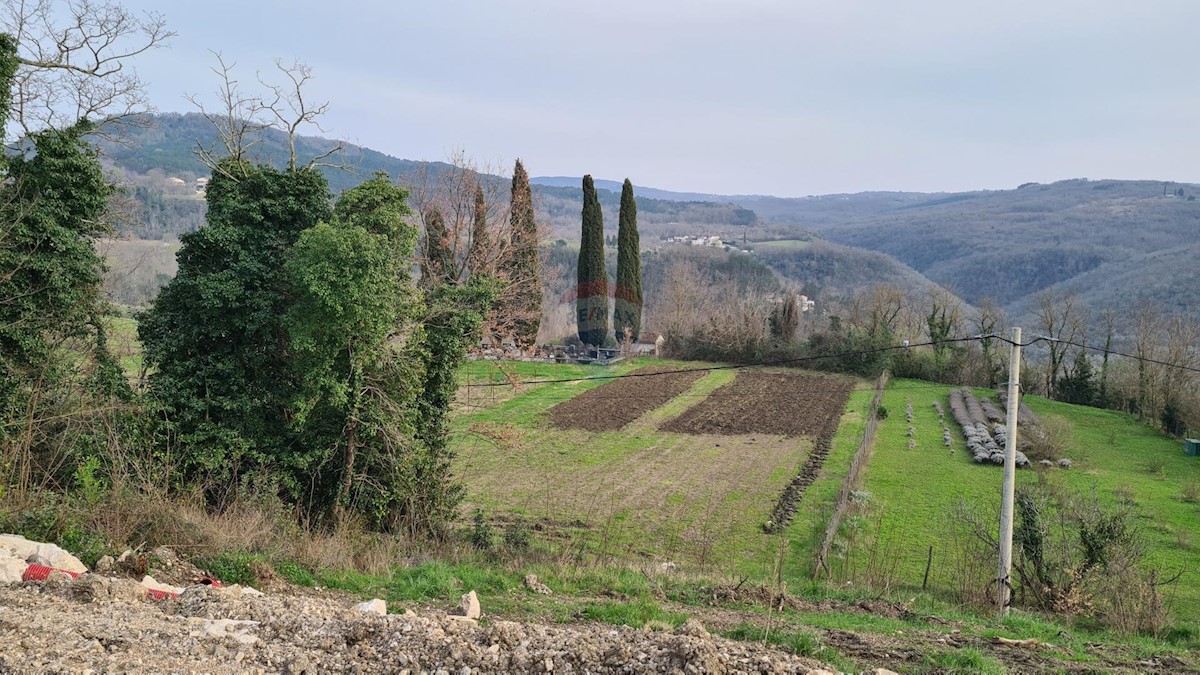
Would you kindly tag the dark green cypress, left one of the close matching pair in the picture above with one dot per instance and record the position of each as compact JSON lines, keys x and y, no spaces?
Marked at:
{"x":592,"y":303}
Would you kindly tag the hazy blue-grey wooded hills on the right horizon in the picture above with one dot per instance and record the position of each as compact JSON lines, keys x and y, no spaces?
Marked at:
{"x":1117,"y":243}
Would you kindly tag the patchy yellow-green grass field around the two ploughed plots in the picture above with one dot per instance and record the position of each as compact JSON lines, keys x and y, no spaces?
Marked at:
{"x":638,"y":493}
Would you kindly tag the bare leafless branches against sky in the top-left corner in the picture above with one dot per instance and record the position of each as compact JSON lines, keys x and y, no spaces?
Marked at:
{"x":74,"y":62}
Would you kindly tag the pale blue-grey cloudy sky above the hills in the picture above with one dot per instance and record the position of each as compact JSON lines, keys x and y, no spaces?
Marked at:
{"x":787,"y":98}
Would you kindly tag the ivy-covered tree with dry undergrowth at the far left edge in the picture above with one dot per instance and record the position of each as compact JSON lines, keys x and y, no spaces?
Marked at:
{"x":56,"y":372}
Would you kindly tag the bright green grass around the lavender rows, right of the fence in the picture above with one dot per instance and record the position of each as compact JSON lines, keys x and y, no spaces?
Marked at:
{"x":915,"y":493}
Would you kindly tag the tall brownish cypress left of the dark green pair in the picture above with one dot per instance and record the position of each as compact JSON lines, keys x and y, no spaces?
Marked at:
{"x":525,"y":270}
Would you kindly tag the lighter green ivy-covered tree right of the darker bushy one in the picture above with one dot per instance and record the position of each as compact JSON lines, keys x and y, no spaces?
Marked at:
{"x":353,"y":389}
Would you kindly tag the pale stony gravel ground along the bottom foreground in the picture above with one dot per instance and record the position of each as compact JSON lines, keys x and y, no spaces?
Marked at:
{"x":94,"y":625}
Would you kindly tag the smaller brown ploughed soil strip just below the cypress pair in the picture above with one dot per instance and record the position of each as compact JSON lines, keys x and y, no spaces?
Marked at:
{"x":613,"y":407}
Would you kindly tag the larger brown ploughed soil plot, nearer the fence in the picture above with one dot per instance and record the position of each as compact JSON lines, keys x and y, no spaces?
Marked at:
{"x":769,"y":403}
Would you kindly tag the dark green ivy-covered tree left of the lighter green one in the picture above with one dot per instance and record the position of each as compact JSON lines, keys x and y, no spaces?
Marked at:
{"x":217,"y":339}
